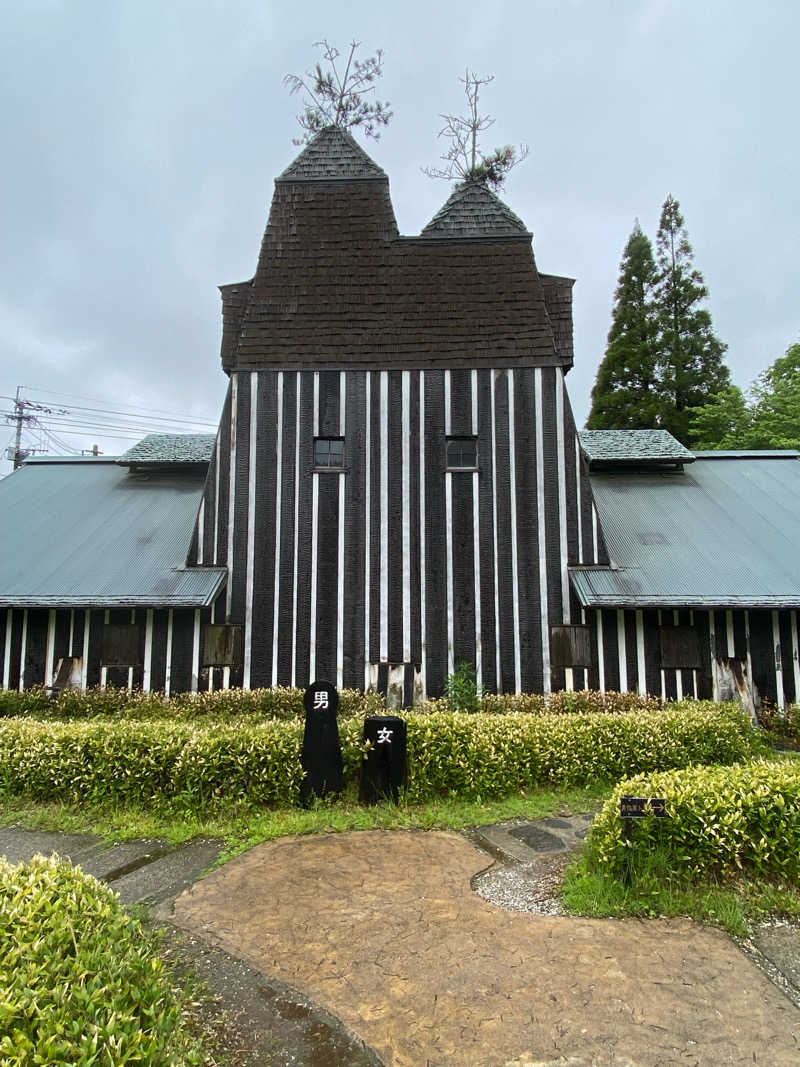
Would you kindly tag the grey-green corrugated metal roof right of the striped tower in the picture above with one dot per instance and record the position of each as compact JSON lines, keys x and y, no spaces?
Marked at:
{"x":718,"y":534}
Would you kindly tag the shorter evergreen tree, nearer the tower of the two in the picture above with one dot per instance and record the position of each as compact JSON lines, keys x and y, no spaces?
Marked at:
{"x":626,"y":394}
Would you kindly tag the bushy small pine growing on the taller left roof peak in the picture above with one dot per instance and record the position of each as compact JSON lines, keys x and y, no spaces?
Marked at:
{"x":334,"y":98}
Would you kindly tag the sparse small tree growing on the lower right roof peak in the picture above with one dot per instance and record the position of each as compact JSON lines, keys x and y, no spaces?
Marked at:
{"x":465,"y":160}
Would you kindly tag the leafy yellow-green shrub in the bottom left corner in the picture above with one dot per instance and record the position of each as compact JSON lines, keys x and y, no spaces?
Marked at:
{"x":82,"y":981}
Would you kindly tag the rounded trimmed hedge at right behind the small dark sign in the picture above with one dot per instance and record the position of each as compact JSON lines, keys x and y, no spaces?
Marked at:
{"x":721,"y":820}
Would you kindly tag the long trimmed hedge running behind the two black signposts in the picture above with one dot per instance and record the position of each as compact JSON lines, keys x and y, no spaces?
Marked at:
{"x":450,"y":754}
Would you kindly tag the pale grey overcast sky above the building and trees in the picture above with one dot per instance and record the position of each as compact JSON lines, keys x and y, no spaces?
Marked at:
{"x":141,"y":139}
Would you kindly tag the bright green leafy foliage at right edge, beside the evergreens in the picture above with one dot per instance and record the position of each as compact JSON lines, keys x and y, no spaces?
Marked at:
{"x":771,"y":419}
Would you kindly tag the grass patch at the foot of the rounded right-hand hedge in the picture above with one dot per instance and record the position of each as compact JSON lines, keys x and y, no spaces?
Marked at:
{"x":655,"y":890}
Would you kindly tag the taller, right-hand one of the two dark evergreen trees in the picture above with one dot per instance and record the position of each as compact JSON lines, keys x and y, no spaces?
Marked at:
{"x":691,"y":364}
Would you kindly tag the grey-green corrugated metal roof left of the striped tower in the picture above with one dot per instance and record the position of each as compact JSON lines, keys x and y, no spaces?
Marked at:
{"x":90,"y":534}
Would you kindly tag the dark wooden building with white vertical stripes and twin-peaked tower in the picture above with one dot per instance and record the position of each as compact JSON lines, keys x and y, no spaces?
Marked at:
{"x":398,"y":486}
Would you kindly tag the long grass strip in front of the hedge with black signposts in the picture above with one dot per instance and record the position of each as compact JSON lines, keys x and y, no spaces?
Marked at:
{"x":244,"y":826}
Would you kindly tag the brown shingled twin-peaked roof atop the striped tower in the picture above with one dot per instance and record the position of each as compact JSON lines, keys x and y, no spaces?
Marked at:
{"x":338,"y":286}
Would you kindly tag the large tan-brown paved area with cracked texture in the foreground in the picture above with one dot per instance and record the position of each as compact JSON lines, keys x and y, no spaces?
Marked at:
{"x":382,"y":930}
